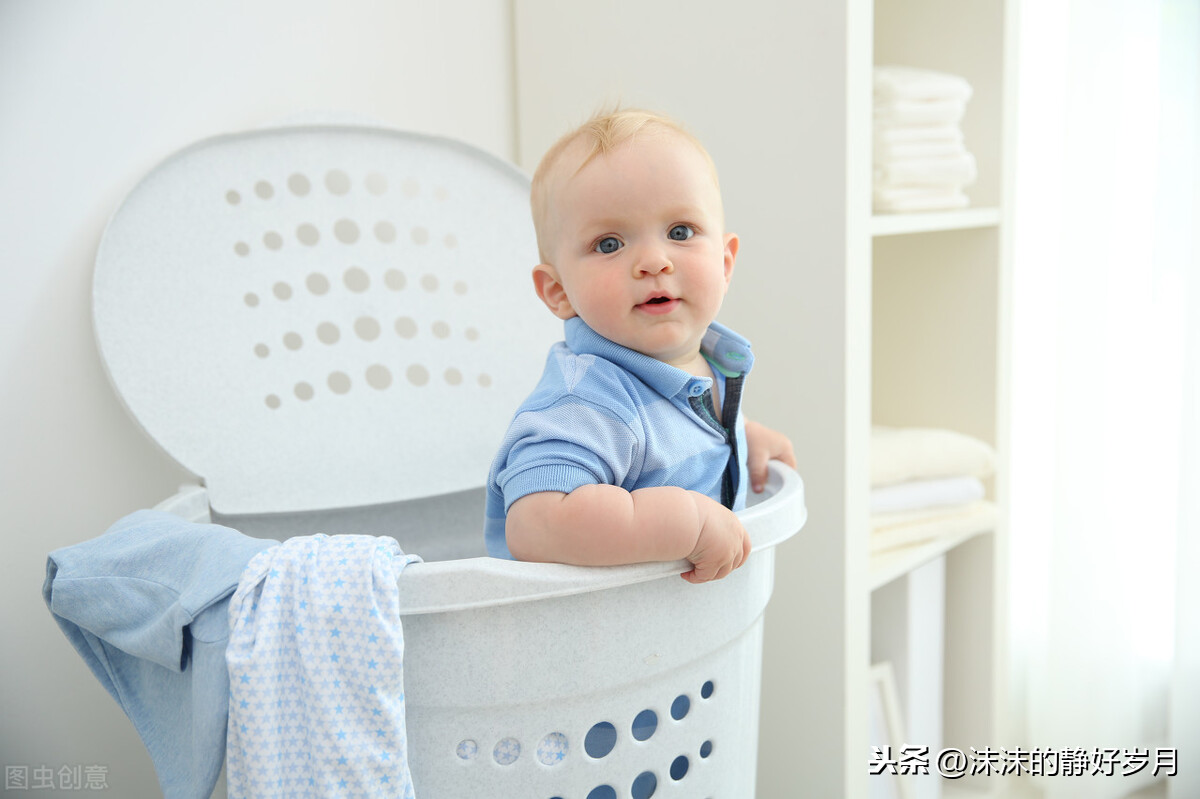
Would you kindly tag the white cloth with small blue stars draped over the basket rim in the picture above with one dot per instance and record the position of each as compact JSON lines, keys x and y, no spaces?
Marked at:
{"x":316,"y":671}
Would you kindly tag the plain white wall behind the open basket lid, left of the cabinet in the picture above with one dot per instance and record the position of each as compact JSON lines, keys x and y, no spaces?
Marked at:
{"x":92,"y":97}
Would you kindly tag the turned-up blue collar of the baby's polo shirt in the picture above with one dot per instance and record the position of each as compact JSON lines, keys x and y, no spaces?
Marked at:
{"x":725,"y":350}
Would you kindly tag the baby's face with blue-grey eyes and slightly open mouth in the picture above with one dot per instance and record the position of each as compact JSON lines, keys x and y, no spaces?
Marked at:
{"x":640,"y":248}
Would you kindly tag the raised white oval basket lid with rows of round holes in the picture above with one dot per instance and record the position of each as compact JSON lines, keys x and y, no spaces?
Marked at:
{"x":325,"y":316}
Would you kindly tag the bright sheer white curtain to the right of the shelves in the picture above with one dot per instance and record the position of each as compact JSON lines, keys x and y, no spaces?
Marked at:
{"x":1106,"y":449}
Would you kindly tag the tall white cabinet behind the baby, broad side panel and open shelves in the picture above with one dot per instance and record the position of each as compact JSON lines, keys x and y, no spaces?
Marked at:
{"x":893,"y":319}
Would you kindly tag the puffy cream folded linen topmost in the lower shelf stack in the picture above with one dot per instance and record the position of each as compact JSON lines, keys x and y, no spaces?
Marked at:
{"x":907,"y":454}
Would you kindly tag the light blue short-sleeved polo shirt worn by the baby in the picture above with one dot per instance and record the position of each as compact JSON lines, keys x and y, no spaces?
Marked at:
{"x":608,"y":414}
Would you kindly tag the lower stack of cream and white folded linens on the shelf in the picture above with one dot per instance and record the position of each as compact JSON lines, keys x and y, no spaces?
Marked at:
{"x":927,"y":484}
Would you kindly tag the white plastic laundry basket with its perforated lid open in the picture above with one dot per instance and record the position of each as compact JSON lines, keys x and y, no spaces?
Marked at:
{"x":332,"y":326}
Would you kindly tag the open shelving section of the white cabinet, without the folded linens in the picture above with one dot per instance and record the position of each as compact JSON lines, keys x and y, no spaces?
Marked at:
{"x":940,"y":339}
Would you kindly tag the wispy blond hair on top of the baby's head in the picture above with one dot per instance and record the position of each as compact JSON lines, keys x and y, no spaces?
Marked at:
{"x":603,"y":134}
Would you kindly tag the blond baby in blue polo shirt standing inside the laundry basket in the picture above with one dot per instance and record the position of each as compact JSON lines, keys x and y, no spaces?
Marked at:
{"x":633,"y":447}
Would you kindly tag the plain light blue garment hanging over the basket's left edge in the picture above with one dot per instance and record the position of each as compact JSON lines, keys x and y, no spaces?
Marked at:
{"x":146,"y":605}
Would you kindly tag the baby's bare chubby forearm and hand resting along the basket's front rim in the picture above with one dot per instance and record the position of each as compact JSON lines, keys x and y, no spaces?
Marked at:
{"x":603,"y":525}
